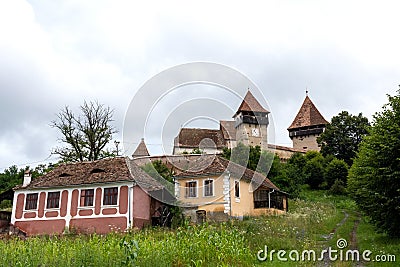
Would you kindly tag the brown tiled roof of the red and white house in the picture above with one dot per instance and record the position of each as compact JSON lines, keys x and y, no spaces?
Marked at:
{"x":94,"y":172}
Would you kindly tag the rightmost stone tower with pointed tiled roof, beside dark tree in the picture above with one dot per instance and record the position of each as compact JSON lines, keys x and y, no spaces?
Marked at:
{"x":307,"y":127}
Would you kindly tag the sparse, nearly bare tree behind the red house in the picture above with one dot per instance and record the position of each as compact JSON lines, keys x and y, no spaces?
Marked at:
{"x":85,"y":135}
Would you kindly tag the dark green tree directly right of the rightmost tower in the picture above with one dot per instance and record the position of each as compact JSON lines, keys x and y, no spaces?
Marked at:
{"x":343,"y":135}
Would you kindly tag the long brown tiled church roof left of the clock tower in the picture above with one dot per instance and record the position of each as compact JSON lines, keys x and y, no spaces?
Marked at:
{"x":191,"y":138}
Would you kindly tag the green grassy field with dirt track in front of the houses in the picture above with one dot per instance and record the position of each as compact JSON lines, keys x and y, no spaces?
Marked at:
{"x":315,"y":222}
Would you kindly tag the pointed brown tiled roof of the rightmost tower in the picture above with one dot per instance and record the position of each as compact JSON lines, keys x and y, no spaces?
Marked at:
{"x":308,"y":115}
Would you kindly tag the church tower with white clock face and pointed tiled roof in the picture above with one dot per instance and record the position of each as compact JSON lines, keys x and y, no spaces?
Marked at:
{"x":251,"y":123}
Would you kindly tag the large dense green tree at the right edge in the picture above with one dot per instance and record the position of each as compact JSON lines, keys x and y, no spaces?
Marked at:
{"x":374,"y":178}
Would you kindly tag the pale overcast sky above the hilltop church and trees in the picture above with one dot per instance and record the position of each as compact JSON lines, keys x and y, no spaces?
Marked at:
{"x":57,"y":53}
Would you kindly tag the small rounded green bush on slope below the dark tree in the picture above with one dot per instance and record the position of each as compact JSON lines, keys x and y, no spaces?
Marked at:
{"x":336,"y":170}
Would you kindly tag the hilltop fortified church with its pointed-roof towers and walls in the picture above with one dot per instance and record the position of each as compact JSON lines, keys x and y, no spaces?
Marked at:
{"x":250,"y":127}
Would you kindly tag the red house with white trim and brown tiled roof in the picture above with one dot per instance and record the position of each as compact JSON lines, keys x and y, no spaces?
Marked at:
{"x":102,"y":196}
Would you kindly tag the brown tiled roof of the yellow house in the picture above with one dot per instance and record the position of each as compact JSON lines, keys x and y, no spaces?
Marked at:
{"x":212,"y":164}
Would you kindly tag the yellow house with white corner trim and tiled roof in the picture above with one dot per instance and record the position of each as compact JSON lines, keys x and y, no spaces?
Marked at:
{"x":215,"y":187}
